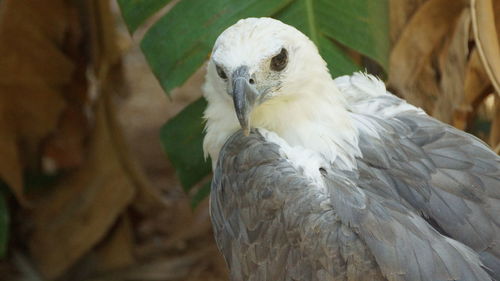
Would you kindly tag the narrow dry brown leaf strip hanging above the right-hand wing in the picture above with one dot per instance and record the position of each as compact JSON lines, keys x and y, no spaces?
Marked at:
{"x":452,"y":62}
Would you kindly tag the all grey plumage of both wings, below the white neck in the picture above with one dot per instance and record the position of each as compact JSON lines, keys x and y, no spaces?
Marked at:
{"x":424,"y":204}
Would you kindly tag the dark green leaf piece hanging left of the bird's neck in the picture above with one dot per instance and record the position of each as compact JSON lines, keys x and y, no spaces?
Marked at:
{"x":182,"y":139}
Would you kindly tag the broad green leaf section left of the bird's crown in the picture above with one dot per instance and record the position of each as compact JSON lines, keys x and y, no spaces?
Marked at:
{"x":178,"y":44}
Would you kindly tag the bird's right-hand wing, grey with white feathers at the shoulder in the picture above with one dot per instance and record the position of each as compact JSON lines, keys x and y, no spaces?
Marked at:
{"x":450,"y":177}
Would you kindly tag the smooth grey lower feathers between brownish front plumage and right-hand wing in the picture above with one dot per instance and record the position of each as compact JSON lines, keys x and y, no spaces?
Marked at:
{"x":404,"y":245}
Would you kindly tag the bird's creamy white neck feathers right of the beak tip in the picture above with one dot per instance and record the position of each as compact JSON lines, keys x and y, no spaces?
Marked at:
{"x":315,"y":118}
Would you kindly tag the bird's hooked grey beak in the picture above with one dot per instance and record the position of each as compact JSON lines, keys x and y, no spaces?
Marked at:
{"x":244,"y":97}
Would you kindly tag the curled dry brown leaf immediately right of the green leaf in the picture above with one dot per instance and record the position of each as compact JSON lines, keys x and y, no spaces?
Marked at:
{"x":412,"y":54}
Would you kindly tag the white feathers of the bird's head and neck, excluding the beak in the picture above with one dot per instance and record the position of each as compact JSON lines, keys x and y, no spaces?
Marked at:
{"x":300,"y":102}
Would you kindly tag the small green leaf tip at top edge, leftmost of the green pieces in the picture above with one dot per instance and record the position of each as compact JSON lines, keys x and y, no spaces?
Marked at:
{"x":135,"y":12}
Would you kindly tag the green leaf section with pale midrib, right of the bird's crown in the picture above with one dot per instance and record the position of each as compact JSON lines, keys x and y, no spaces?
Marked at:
{"x":361,"y":25}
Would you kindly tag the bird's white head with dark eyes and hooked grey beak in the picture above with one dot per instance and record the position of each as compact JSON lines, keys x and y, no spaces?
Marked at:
{"x":261,"y":61}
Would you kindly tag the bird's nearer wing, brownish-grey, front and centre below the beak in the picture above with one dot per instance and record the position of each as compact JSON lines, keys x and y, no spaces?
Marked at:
{"x":273,"y":223}
